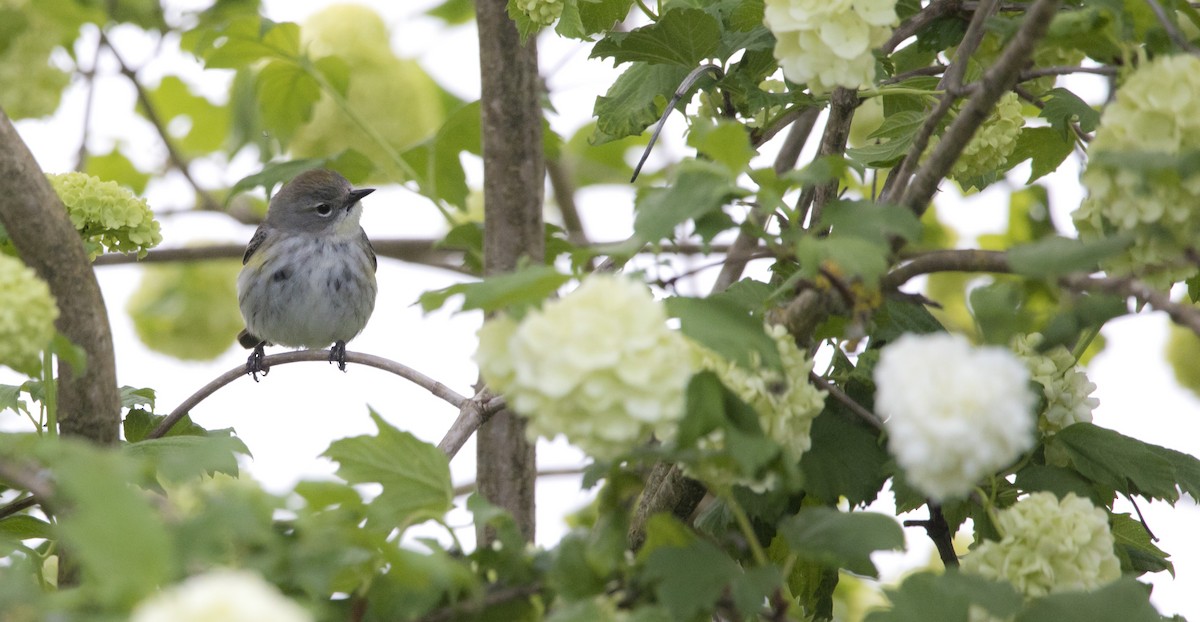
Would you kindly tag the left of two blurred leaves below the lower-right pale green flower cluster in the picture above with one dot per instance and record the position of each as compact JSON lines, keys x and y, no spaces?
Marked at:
{"x":947,"y":596}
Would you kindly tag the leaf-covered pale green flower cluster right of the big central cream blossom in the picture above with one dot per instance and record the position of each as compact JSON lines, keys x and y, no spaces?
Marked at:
{"x":787,"y":406}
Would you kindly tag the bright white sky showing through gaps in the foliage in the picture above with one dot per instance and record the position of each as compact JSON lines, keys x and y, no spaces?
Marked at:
{"x":291,"y":417}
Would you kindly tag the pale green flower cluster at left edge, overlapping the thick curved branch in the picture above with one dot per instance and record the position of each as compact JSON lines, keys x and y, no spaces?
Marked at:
{"x":27,"y":316}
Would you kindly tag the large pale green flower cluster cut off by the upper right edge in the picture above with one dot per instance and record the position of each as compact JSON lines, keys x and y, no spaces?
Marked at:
{"x":1156,"y":115}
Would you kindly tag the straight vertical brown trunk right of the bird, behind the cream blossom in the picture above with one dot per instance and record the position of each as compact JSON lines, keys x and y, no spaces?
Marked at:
{"x":514,"y":172}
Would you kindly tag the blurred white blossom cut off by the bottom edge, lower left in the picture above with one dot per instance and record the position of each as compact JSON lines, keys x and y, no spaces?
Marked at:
{"x":221,"y":596}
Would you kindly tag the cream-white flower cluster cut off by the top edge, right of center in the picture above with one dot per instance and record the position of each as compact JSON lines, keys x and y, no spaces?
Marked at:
{"x":827,"y":44}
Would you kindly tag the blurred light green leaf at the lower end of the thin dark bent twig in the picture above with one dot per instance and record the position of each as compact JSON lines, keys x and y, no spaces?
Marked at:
{"x":700,"y":188}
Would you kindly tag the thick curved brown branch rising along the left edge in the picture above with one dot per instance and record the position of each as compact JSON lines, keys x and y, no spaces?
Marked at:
{"x":38,"y":224}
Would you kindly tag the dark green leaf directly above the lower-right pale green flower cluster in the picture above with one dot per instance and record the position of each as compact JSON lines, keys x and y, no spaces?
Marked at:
{"x":1118,"y":462}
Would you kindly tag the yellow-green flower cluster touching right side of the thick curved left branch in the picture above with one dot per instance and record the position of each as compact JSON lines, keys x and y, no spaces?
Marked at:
{"x":109,"y":217}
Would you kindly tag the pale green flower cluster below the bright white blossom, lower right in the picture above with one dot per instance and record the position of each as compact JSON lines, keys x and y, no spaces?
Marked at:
{"x":1049,"y":546}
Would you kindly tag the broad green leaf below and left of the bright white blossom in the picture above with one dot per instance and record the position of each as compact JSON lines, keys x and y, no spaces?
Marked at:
{"x":841,"y":539}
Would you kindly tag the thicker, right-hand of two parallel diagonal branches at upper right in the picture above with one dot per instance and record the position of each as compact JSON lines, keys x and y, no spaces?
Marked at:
{"x":997,"y":81}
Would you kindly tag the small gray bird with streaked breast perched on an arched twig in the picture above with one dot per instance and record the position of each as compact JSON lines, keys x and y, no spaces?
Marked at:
{"x":308,"y":278}
